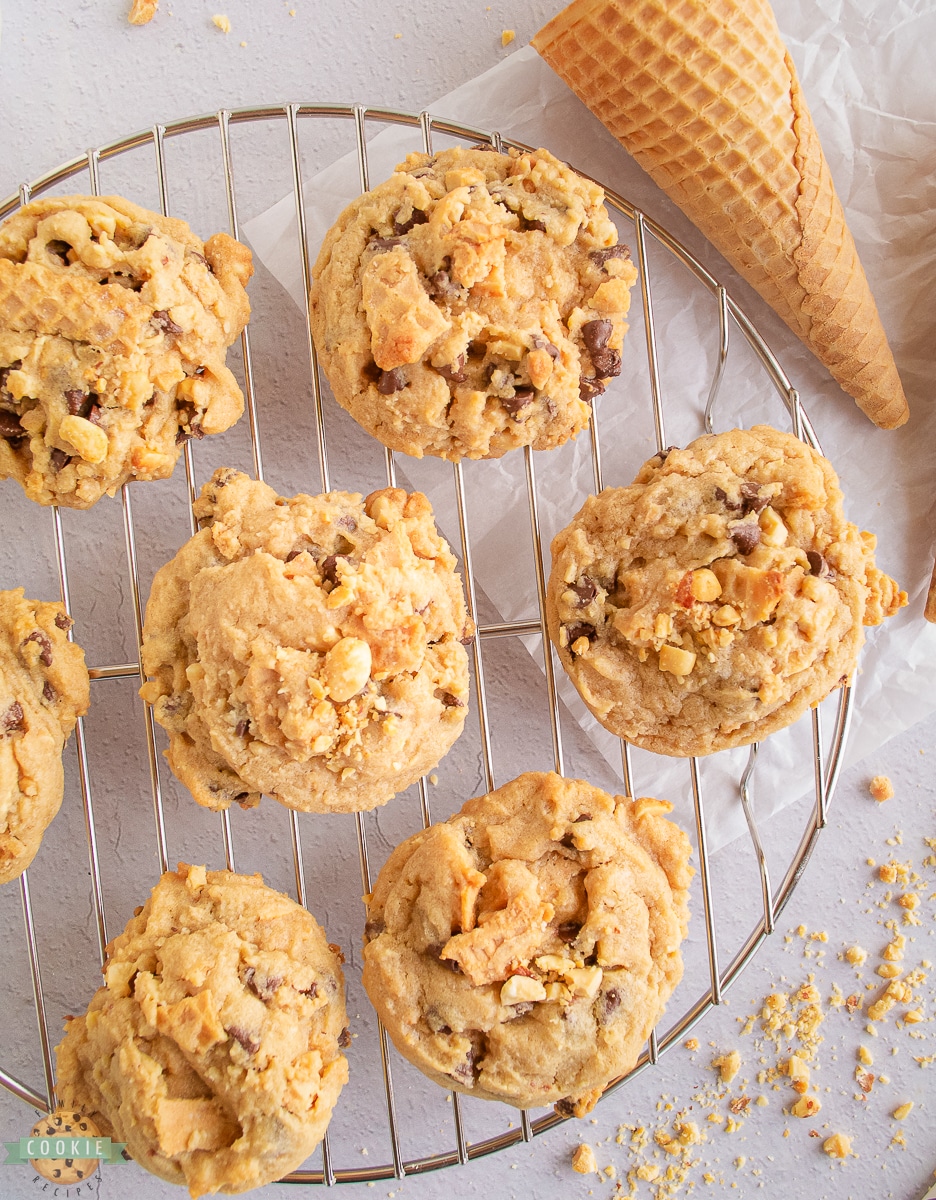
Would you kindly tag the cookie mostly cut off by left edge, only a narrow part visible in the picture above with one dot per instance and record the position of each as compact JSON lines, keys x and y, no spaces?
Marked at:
{"x":44,"y":691}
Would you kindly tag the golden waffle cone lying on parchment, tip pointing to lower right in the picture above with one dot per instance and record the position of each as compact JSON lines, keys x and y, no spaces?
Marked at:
{"x":707,"y":100}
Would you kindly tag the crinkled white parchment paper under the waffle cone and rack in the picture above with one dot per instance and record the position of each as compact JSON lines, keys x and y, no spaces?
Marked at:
{"x":869,"y":82}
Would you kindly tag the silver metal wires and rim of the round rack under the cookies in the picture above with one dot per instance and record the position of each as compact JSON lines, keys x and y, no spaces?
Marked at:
{"x":825,"y":760}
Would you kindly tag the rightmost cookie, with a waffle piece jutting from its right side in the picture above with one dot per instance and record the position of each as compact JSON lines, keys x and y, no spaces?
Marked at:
{"x":718,"y":597}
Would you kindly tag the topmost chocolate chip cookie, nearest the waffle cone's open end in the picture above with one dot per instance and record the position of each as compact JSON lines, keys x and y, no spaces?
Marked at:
{"x":472,"y":304}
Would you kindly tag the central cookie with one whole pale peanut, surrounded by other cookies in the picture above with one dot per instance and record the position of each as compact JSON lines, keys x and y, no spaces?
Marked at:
{"x":310,"y":649}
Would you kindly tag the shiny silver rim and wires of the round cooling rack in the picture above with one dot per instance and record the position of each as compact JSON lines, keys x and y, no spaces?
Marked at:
{"x":827,"y":765}
